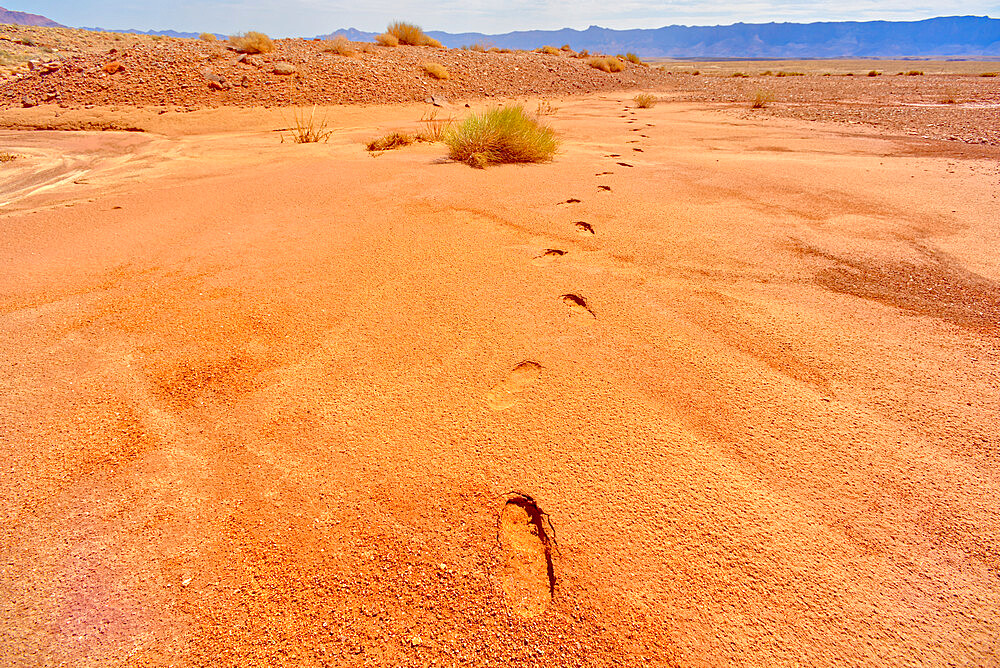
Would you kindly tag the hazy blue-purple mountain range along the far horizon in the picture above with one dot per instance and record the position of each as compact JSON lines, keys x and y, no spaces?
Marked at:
{"x":943,"y":37}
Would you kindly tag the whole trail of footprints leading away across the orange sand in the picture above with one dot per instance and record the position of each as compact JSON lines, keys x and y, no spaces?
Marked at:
{"x":524,"y":534}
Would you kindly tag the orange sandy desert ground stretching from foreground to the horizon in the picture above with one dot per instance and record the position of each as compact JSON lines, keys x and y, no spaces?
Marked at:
{"x":715,"y":387}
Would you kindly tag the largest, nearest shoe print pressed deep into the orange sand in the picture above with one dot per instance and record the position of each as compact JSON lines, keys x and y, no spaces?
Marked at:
{"x":525,"y":571}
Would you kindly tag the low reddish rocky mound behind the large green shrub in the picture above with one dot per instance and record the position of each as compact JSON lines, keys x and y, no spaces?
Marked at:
{"x":195,"y":73}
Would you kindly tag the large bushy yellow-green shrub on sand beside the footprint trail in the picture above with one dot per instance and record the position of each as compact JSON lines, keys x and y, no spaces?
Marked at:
{"x":501,"y":135}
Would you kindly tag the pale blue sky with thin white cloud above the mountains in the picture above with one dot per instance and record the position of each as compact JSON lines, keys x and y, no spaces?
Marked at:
{"x":311,"y":17}
